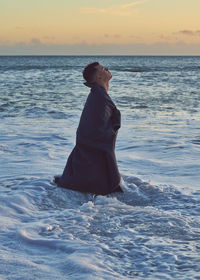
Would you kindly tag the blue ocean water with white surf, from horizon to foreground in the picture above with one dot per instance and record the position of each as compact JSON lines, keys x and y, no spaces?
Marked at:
{"x":152,"y":230}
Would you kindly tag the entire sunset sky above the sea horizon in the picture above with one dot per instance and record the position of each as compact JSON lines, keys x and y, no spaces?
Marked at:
{"x":118,"y":27}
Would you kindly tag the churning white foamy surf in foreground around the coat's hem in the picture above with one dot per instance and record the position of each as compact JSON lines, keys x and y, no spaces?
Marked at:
{"x":145,"y":232}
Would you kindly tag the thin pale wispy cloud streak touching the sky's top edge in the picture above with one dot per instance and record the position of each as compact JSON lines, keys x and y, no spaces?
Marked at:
{"x":122,"y":9}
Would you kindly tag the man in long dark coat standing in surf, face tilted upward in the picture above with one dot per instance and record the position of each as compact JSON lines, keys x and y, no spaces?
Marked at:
{"x":91,"y":167}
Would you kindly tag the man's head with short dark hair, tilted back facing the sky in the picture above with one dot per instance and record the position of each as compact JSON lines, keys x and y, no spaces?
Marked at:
{"x":95,"y":72}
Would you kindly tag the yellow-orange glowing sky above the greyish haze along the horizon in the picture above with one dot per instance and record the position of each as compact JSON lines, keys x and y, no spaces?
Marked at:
{"x":106,"y":22}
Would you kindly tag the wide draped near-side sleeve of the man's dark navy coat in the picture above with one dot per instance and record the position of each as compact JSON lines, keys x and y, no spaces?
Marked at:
{"x":96,"y":124}
